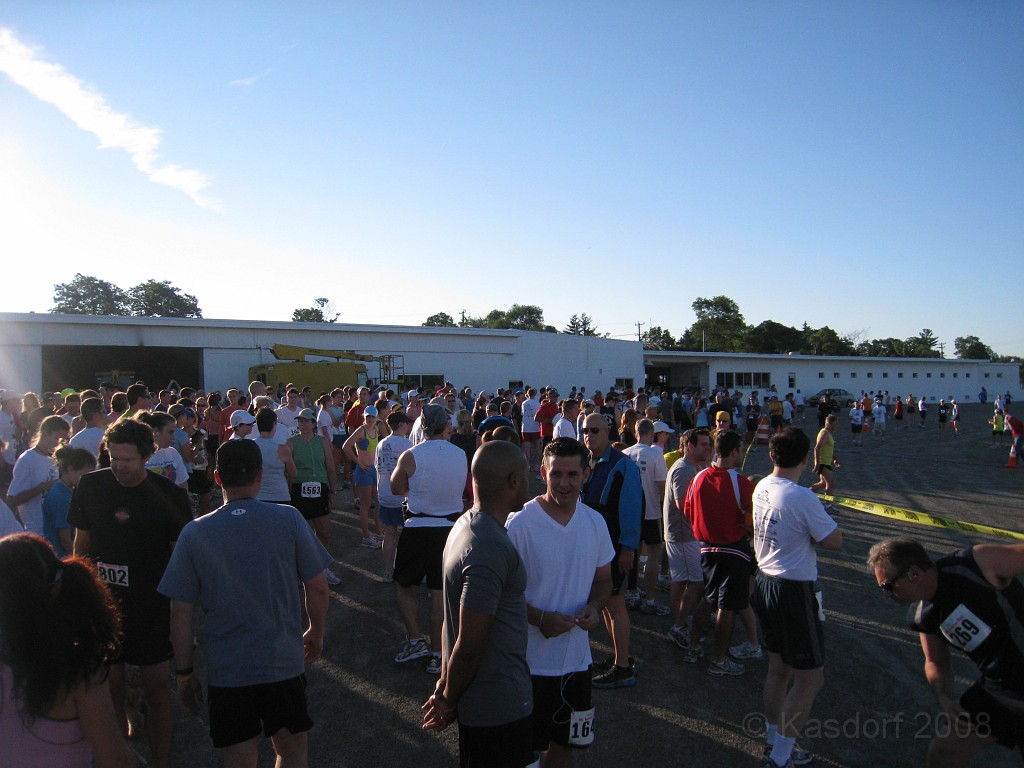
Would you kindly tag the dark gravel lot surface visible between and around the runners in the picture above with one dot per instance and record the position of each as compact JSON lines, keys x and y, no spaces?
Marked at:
{"x":876,"y":710}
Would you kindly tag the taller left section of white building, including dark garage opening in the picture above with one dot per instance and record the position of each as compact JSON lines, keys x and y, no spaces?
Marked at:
{"x":53,"y":352}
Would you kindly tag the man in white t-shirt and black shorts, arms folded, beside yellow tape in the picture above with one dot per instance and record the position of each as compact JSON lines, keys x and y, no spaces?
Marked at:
{"x":789,"y":523}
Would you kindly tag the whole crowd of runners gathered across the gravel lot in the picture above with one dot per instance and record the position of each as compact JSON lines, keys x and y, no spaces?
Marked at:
{"x":218,"y":502}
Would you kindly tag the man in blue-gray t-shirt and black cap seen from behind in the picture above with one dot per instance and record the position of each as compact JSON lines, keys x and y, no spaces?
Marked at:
{"x":240,"y":566}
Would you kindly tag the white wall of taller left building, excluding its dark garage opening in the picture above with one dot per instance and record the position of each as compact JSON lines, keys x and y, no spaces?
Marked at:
{"x":477,"y":358}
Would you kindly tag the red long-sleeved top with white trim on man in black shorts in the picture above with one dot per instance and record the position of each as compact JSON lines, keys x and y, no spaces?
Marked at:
{"x":712,"y":508}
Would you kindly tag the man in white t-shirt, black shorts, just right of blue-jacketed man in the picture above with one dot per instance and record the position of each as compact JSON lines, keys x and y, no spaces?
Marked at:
{"x":654,"y":472}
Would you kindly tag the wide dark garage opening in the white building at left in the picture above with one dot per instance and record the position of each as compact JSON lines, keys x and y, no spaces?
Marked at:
{"x":79,"y":367}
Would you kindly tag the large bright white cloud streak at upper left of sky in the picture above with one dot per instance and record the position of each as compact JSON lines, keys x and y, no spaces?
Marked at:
{"x":90,"y":111}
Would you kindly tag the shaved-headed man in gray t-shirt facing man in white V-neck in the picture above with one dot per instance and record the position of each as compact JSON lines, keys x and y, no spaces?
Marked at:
{"x":485,"y":682}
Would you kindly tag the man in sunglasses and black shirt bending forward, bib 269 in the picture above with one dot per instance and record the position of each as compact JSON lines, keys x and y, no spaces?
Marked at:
{"x":972,"y":601}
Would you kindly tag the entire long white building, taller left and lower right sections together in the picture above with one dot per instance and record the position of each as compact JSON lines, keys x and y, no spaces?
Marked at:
{"x":53,"y":352}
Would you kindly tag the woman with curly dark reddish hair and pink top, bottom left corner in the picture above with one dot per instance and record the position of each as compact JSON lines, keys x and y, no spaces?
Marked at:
{"x":60,"y":632}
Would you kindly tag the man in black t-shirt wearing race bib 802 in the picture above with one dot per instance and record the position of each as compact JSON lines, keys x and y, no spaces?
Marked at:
{"x":127,"y":521}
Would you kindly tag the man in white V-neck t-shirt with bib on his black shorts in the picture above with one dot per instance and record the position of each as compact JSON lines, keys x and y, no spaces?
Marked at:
{"x":565,"y":599}
